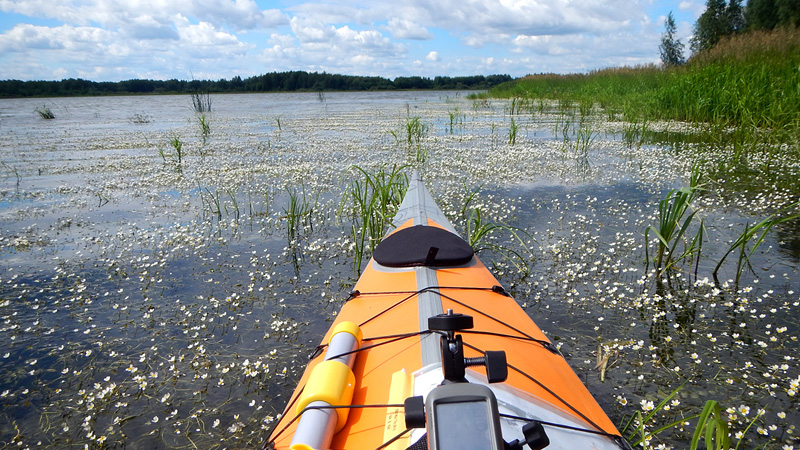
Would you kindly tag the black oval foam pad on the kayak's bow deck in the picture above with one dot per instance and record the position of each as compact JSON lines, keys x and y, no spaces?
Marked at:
{"x":423,"y":246}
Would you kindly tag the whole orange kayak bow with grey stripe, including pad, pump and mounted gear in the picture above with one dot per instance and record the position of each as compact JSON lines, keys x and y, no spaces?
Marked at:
{"x":430,"y":351}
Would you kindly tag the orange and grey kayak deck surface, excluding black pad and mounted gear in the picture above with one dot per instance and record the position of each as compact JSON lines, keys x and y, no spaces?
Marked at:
{"x":400,"y":357}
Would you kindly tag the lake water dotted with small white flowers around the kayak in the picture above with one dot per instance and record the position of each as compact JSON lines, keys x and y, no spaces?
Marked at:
{"x":154,"y":292}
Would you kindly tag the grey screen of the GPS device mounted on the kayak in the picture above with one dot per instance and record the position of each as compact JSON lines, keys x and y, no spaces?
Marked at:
{"x":463,"y":426}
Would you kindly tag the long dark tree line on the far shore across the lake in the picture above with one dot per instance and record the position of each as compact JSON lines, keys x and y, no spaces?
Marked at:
{"x":270,"y":82}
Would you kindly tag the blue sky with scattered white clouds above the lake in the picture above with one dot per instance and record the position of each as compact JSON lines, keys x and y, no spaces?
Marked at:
{"x":112,"y":40}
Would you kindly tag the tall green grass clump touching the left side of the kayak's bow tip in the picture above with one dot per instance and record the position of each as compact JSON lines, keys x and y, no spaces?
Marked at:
{"x":374,"y":200}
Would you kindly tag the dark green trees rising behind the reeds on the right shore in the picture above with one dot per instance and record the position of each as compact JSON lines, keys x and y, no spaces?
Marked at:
{"x":725,"y":18}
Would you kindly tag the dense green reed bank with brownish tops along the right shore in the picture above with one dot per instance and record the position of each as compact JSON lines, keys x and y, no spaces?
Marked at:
{"x":747,"y":84}
